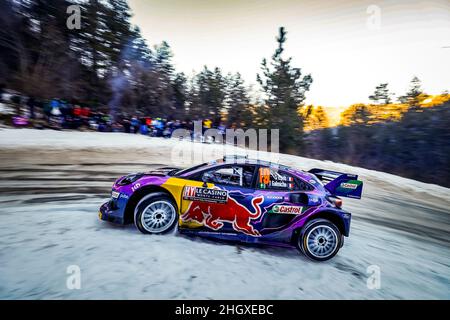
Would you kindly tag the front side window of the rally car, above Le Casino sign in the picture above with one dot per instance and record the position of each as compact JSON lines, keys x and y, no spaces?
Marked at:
{"x":239,"y":176}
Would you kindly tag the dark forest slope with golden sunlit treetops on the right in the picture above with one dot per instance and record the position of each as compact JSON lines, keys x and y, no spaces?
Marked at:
{"x":416,"y":145}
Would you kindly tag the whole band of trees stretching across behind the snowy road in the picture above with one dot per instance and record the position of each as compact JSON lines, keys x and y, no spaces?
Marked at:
{"x":106,"y":64}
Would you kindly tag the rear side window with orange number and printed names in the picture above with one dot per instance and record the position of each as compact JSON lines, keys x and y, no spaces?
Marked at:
{"x":272,"y":179}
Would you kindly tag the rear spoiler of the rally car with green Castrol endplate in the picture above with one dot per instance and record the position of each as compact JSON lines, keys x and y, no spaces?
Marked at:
{"x":340,"y":184}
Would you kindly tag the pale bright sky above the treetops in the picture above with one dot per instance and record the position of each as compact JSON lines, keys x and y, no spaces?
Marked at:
{"x":348,"y":47}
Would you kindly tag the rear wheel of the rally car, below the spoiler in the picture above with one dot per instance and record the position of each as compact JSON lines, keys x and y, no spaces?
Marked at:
{"x":317,"y":235}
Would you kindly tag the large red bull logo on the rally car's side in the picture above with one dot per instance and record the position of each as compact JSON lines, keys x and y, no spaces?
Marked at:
{"x":213,"y":215}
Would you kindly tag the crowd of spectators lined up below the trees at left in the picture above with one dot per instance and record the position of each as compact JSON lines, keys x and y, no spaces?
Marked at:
{"x":59,"y":114}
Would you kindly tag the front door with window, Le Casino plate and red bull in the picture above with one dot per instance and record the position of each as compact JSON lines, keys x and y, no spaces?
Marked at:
{"x":226,"y":204}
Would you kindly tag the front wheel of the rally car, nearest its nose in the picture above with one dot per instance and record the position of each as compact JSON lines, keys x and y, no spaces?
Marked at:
{"x":152,"y":208}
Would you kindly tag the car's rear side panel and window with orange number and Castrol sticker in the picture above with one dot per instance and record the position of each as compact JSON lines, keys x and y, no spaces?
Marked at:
{"x":285,"y":197}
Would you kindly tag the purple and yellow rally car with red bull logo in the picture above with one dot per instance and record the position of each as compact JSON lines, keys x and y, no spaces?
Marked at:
{"x":239,"y":199}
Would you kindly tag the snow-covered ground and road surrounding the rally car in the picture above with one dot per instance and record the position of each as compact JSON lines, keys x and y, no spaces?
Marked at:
{"x":53,"y":183}
